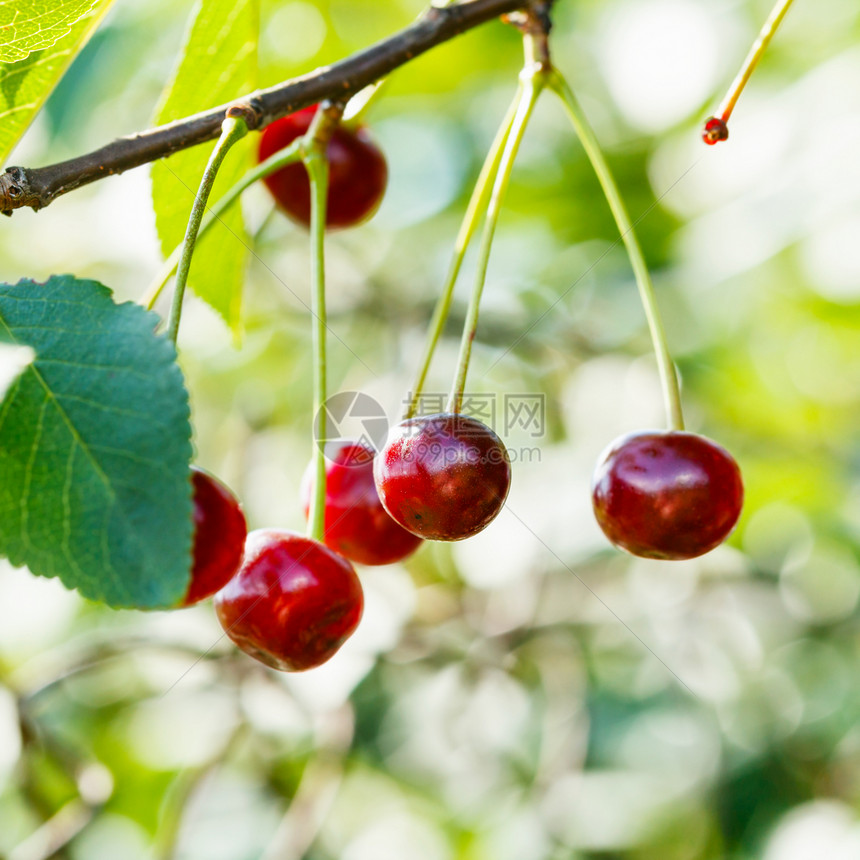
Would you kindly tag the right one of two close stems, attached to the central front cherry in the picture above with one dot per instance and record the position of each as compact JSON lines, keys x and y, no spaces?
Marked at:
{"x":533,"y":81}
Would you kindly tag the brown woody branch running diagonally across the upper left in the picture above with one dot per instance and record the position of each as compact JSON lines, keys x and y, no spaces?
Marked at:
{"x":21,"y":186}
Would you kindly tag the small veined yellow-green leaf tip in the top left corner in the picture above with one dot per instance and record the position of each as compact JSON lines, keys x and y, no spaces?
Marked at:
{"x":32,"y":25}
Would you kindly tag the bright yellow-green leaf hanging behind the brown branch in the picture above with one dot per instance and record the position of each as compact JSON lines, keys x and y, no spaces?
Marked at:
{"x":219,"y":64}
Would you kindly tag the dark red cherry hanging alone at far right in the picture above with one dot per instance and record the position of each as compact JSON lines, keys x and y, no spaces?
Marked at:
{"x":669,"y":495}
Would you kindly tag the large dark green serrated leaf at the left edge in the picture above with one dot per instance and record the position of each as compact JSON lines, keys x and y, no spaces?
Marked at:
{"x":95,"y":446}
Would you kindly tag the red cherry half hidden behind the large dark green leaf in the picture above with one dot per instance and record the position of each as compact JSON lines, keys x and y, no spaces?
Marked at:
{"x":219,"y":537}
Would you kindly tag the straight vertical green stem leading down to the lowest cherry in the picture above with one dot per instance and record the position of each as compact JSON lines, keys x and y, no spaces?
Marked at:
{"x":317,"y":167}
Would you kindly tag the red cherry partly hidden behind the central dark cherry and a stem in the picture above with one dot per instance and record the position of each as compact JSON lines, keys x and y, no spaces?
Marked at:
{"x":356,"y":524}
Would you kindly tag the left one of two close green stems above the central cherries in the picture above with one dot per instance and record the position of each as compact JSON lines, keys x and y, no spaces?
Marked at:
{"x":477,"y":205}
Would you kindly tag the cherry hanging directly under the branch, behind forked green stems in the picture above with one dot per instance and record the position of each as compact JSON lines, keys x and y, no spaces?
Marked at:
{"x":357,"y":172}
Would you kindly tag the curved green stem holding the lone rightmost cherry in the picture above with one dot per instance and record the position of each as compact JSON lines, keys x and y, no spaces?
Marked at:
{"x":668,"y":376}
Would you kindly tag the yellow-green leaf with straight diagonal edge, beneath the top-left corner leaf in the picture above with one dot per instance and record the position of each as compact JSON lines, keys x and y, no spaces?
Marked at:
{"x":26,"y":84}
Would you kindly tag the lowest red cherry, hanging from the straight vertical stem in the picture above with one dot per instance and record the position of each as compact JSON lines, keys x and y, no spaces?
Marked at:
{"x":293,"y":603}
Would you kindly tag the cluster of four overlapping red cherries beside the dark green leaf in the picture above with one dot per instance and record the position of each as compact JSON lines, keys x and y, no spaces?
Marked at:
{"x":290,"y":601}
